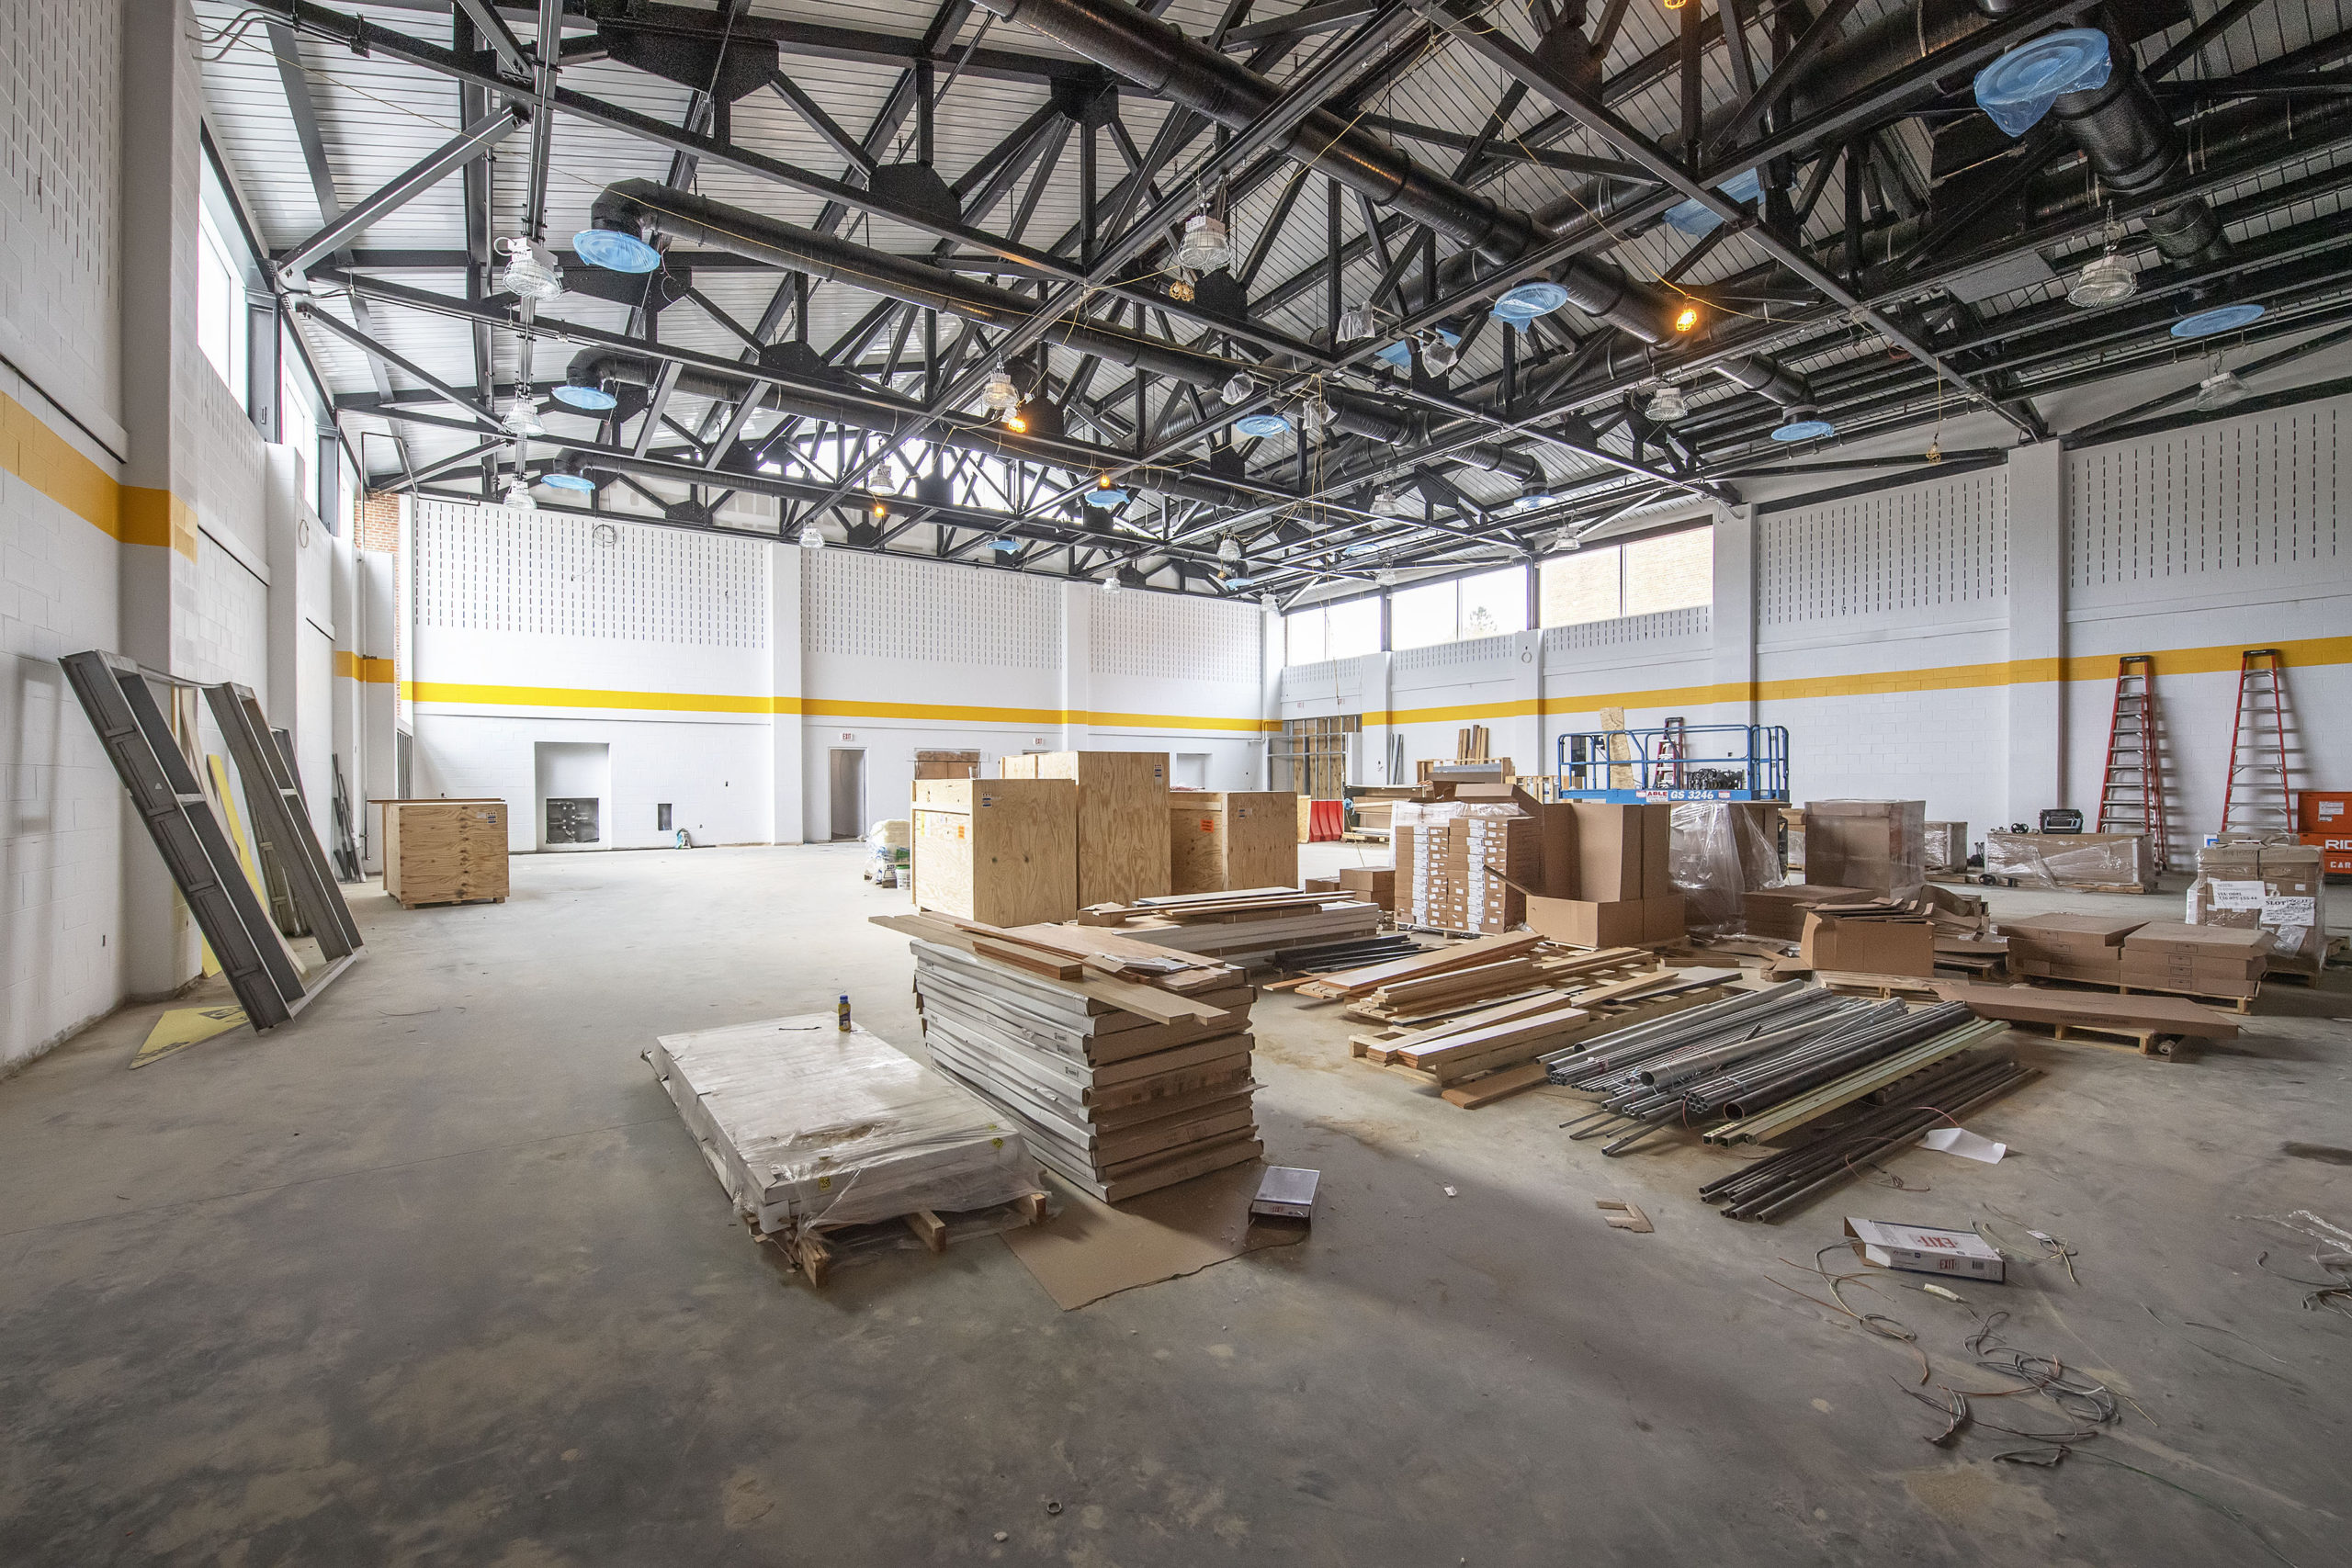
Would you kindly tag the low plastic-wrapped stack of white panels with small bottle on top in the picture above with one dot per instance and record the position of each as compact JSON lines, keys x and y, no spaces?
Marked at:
{"x":810,"y":1125}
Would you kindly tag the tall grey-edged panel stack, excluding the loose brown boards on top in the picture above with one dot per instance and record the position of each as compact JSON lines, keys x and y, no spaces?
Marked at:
{"x":1114,"y":1101}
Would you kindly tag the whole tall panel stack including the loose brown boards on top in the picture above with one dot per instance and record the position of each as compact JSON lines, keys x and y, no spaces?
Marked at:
{"x":1125,"y":1064}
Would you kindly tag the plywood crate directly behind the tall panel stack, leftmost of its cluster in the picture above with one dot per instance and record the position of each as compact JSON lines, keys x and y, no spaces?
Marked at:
{"x":996,"y":850}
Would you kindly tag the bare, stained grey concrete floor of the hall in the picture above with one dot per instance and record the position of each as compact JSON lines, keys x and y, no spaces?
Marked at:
{"x":436,"y":1278}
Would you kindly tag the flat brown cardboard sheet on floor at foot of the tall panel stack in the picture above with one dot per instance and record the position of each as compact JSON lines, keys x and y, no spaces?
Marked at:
{"x":1093,"y":1249}
